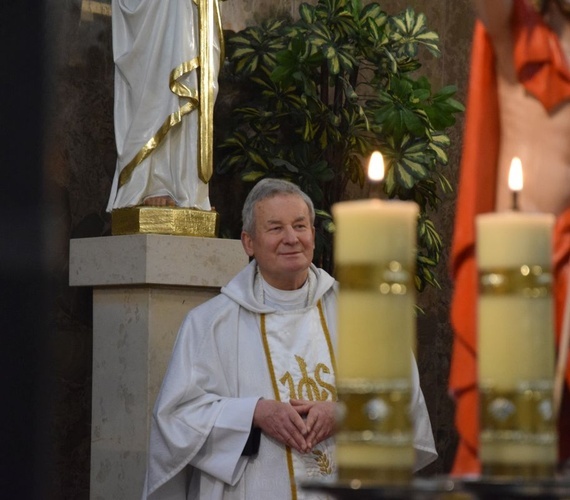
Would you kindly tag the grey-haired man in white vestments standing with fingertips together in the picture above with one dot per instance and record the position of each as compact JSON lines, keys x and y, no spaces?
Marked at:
{"x":246,"y":409}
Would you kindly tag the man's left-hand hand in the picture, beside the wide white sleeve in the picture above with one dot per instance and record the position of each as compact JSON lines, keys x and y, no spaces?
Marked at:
{"x":282,"y":422}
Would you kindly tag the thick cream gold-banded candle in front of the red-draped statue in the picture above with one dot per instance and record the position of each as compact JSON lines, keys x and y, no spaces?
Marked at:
{"x":516,"y":344}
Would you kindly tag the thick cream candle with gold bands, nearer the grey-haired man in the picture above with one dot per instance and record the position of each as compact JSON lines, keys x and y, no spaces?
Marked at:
{"x":375,"y":252}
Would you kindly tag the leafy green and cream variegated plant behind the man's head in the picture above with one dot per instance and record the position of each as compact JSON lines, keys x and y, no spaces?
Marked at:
{"x":320,"y":93}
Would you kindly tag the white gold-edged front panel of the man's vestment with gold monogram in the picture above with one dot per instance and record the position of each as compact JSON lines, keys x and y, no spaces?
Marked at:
{"x":306,"y":372}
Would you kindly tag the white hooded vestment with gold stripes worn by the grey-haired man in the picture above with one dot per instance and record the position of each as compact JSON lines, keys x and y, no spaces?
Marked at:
{"x":220,"y":367}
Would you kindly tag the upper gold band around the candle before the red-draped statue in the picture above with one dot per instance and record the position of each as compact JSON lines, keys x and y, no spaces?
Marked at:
{"x":529,"y":281}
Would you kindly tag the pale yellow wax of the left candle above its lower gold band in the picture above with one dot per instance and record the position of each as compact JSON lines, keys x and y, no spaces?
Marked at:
{"x":376,"y":330}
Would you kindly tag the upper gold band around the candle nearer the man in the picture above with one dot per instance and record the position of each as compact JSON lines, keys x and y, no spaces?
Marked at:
{"x":387,"y":278}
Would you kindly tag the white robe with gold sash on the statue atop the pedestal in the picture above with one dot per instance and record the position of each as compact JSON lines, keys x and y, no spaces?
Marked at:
{"x":156,"y":49}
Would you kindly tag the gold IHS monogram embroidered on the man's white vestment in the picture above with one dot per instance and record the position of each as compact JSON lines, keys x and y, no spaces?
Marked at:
{"x":311,"y":389}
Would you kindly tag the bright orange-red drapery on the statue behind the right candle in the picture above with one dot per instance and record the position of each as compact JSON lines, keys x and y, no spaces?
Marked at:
{"x":541,"y":68}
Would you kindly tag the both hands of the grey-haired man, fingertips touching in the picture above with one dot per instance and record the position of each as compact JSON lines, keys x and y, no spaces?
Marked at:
{"x":299,"y":424}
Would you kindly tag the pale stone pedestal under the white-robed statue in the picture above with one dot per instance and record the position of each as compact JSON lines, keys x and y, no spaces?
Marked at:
{"x":143,"y":286}
